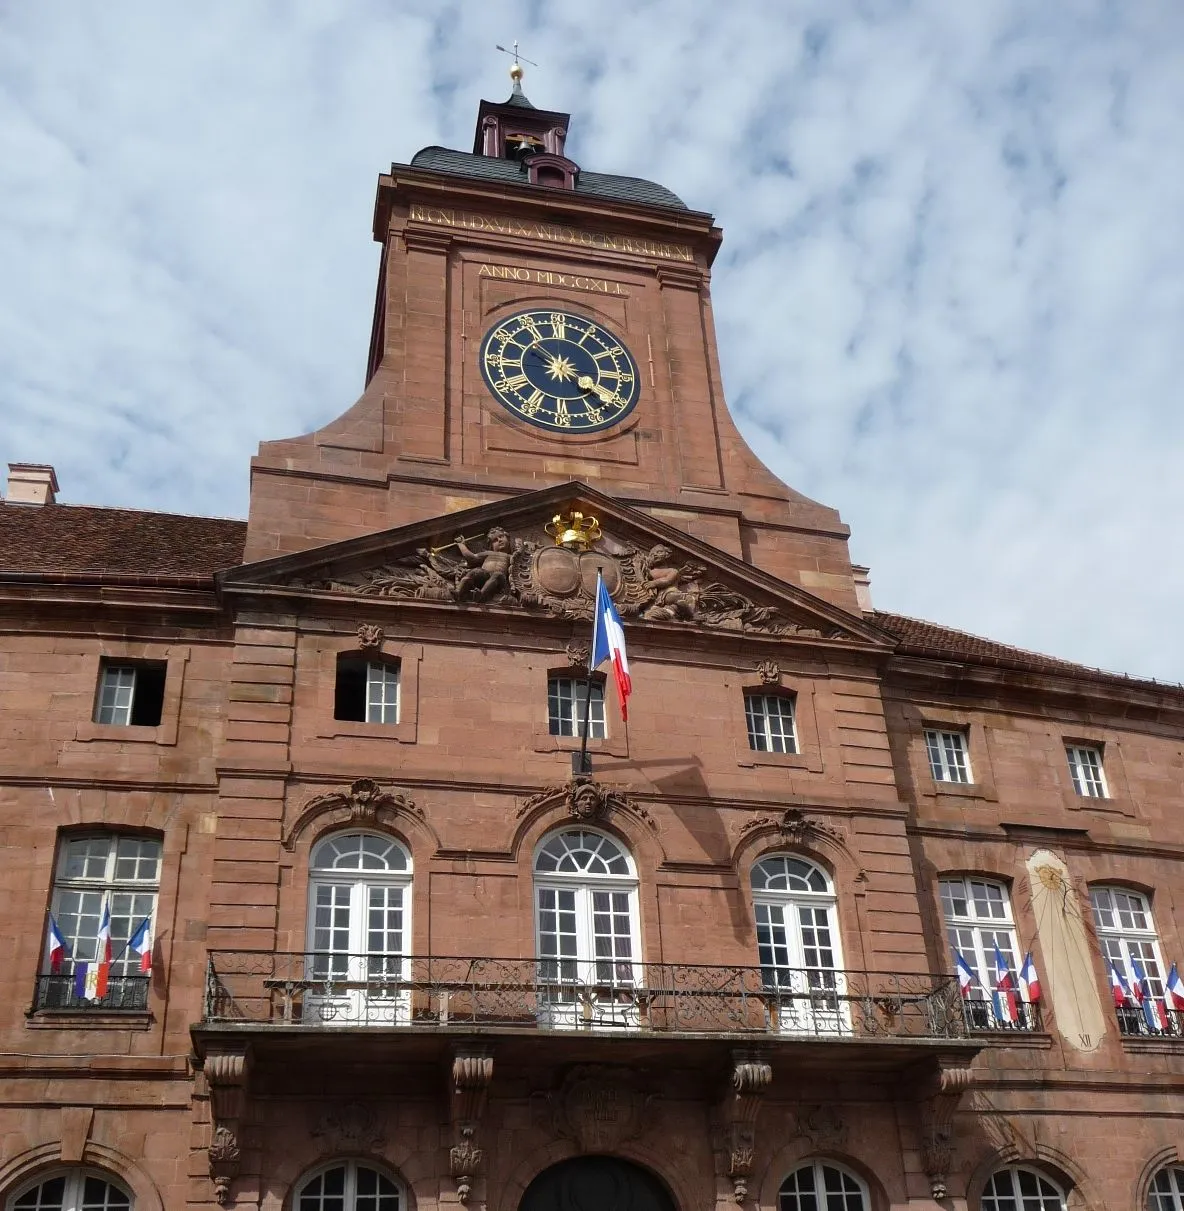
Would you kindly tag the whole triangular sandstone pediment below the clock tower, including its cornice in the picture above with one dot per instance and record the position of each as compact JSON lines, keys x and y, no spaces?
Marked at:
{"x":502,"y":556}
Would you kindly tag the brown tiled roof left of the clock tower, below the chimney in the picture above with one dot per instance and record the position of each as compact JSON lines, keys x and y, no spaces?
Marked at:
{"x":78,"y":540}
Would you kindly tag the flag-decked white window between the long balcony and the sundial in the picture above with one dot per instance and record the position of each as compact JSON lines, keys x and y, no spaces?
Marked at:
{"x":979,"y":922}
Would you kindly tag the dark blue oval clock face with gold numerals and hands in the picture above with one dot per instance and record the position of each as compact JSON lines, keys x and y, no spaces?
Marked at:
{"x":560,"y":371}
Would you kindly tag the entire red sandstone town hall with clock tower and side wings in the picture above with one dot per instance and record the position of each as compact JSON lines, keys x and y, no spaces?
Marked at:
{"x":381,"y":940}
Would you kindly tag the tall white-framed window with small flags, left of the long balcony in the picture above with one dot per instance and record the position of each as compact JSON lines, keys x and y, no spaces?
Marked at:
{"x":112,"y":874}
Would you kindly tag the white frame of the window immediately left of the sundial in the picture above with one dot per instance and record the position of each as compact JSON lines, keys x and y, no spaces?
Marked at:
{"x":986,"y":922}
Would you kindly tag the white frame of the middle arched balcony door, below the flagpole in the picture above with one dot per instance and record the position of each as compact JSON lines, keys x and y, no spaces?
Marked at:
{"x":577,"y":990}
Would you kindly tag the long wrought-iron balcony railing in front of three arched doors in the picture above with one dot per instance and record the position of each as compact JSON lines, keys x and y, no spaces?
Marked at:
{"x":423,"y":992}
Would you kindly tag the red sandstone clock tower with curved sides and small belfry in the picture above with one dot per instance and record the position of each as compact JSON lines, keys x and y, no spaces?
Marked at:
{"x":538,"y":324}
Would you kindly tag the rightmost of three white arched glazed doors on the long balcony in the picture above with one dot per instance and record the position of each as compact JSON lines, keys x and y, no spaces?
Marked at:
{"x":798,"y":944}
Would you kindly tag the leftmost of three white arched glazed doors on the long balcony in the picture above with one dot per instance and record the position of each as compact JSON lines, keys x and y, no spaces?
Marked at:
{"x":359,"y":929}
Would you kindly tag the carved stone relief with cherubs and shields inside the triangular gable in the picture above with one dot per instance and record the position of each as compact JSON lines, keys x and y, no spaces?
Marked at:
{"x":528,"y":572}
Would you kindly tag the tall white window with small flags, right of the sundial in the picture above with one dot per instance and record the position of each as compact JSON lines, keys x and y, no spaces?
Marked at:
{"x":1126,"y":934}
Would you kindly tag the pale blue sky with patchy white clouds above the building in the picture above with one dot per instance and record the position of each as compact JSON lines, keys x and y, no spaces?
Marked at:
{"x":950,"y":301}
